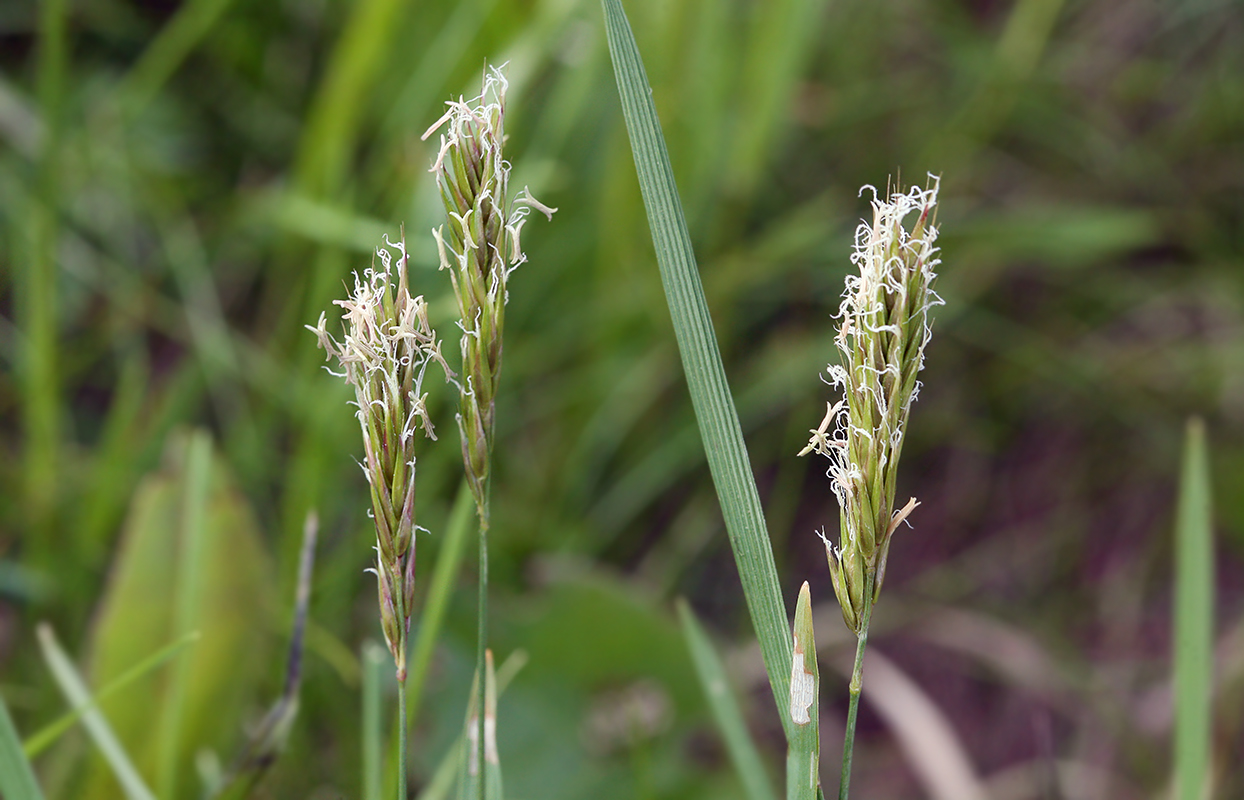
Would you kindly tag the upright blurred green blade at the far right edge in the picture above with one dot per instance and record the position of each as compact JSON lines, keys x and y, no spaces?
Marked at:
{"x":1194,"y":620}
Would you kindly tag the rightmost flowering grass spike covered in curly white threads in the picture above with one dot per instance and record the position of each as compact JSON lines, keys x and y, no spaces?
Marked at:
{"x":885,"y":328}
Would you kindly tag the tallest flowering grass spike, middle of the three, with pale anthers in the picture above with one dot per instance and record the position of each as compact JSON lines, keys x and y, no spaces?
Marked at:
{"x":480,"y":244}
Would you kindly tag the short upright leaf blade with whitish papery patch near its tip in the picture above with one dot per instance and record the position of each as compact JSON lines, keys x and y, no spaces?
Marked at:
{"x":804,"y":755}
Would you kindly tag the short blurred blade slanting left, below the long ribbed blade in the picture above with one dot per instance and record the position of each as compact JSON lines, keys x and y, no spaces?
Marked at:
{"x":726,"y":709}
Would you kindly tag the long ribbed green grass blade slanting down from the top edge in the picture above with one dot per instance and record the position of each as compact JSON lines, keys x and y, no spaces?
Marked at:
{"x":702,"y":360}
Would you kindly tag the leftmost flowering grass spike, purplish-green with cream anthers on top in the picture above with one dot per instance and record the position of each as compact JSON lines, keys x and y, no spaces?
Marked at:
{"x":389,"y":347}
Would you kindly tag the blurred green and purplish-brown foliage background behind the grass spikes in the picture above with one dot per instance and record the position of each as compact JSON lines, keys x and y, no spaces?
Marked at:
{"x":185,"y":186}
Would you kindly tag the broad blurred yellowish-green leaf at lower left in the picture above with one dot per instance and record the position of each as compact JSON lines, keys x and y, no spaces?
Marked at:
{"x":177,"y":569}
